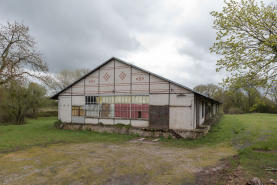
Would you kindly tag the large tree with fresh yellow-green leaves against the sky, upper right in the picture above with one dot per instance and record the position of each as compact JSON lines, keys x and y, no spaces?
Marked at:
{"x":247,"y":42}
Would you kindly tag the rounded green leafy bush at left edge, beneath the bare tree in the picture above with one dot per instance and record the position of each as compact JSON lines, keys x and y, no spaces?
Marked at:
{"x":17,"y":101}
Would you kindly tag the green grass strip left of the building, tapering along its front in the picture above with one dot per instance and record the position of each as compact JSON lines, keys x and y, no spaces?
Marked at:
{"x":41,"y":131}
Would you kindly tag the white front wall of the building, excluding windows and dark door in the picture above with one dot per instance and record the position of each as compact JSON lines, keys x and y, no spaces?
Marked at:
{"x":117,"y":78}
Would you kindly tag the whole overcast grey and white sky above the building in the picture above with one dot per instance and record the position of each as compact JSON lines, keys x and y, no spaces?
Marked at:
{"x":168,"y":37}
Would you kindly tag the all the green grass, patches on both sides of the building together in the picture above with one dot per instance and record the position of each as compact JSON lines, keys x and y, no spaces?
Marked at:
{"x":253,"y":135}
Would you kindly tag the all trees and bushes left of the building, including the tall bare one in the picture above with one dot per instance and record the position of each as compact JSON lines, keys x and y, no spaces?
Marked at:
{"x":20,"y":66}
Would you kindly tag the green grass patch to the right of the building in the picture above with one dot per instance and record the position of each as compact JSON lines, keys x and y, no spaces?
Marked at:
{"x":254,"y":135}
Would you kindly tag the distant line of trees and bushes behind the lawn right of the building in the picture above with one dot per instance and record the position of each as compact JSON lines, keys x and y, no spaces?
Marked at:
{"x":239,"y":100}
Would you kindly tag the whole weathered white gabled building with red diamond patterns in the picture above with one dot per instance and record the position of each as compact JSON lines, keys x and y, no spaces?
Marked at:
{"x":119,"y":92}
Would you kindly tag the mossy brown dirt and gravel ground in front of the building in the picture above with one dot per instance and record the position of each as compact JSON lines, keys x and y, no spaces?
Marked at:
{"x":107,"y":163}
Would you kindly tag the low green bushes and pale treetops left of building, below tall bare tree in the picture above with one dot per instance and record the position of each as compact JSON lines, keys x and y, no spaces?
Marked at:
{"x":23,"y":98}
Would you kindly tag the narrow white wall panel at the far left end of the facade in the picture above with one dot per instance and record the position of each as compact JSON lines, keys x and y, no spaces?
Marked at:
{"x":64,"y":109}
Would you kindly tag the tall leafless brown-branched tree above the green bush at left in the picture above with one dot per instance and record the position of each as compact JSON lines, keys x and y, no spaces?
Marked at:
{"x":19,"y":57}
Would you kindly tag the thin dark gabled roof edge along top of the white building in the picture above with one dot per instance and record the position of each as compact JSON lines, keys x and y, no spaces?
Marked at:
{"x":55,"y":97}
